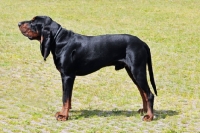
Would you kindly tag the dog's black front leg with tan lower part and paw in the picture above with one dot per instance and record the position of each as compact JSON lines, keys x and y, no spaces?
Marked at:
{"x":67,"y":83}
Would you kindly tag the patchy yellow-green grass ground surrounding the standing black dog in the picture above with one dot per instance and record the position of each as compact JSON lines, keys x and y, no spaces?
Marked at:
{"x":105,"y":101}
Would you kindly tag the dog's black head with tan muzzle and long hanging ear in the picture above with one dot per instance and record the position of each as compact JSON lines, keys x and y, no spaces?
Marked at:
{"x":41,"y":28}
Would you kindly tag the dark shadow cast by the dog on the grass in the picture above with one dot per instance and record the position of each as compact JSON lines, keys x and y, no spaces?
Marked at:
{"x":77,"y":114}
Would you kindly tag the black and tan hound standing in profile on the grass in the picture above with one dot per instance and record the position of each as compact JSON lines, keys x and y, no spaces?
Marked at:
{"x":78,"y":55}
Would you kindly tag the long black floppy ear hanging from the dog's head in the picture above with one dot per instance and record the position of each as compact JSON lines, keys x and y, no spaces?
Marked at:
{"x":45,"y":45}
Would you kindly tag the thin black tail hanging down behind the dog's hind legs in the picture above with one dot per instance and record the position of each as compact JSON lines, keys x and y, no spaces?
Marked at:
{"x":149,"y":63}
